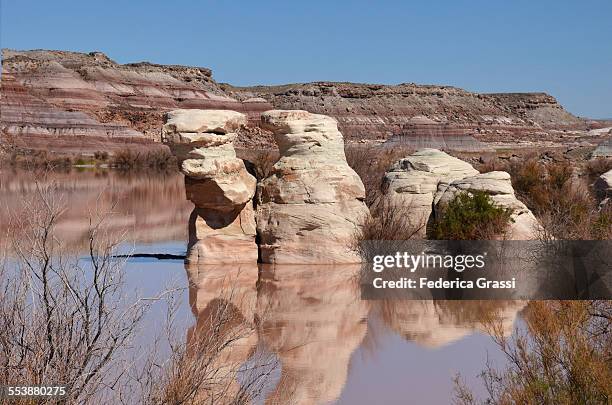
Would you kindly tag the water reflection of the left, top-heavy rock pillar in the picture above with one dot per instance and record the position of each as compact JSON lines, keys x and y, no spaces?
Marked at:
{"x":223,"y":301}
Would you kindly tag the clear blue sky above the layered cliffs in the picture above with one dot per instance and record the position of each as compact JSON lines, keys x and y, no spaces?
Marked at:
{"x":561,"y":47}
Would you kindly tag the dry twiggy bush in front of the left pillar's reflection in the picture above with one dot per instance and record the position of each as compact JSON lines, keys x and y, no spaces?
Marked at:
{"x":203,"y":371}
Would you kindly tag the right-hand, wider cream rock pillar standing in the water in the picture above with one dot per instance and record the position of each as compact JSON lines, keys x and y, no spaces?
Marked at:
{"x":310,"y":206}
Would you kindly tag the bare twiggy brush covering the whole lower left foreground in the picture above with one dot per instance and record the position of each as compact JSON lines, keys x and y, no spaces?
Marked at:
{"x":69,"y":320}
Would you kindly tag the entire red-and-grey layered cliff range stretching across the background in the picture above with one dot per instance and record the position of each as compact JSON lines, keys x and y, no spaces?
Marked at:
{"x":86,"y":102}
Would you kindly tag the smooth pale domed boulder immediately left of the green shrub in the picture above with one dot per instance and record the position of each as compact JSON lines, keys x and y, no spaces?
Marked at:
{"x":417,"y":180}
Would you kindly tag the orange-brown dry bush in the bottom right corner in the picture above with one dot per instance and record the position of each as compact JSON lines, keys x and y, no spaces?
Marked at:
{"x":563,"y":356}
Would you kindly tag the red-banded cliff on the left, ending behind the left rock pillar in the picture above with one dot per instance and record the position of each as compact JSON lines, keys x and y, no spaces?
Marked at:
{"x":70,"y":94}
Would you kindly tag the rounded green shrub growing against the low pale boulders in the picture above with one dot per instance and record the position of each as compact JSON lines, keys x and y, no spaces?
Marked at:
{"x":471,"y":216}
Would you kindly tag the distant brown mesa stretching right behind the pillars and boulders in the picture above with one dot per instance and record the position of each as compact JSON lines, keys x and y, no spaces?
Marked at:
{"x":375,"y":111}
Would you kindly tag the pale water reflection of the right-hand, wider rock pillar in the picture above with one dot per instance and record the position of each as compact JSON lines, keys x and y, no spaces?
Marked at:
{"x":314,"y":319}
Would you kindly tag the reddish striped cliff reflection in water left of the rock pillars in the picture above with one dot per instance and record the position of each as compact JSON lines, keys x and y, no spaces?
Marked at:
{"x":149,"y":208}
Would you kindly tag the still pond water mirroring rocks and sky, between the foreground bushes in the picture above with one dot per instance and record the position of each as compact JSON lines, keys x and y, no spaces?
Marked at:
{"x":331,"y":346}
